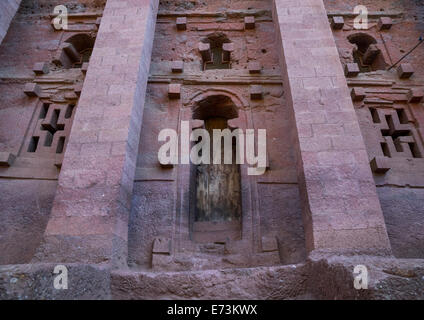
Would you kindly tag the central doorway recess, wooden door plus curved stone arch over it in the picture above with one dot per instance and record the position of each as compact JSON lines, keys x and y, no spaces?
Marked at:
{"x":217,"y":214}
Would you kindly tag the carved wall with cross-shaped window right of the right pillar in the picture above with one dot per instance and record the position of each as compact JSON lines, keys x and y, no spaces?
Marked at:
{"x":390,"y":109}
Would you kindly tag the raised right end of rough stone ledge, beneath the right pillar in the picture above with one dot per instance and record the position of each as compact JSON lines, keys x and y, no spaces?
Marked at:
{"x":389,"y":278}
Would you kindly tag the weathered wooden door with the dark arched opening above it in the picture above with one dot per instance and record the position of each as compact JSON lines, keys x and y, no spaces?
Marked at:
{"x":217,"y":211}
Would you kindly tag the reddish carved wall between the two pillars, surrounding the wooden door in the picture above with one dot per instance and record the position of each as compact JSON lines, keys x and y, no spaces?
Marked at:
{"x":163,"y":209}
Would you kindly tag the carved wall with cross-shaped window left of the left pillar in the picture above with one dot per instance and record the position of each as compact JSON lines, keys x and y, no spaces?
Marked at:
{"x":40,"y":84}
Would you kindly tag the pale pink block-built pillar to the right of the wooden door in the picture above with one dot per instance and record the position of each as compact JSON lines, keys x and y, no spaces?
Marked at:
{"x":341,"y":209}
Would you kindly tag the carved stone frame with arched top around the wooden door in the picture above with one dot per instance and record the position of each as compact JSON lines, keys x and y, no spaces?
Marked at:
{"x":250,"y":226}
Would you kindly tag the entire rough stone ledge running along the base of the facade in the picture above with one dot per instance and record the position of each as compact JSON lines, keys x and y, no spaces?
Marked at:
{"x":389,"y":278}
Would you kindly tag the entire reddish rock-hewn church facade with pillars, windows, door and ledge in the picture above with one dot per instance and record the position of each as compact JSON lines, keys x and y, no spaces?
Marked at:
{"x":82,"y":107}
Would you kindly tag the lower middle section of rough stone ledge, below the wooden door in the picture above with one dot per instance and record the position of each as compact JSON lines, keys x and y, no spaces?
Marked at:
{"x":282,"y":282}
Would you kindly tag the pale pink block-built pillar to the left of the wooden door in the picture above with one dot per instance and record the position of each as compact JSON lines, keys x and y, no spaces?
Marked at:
{"x":89,"y":219}
